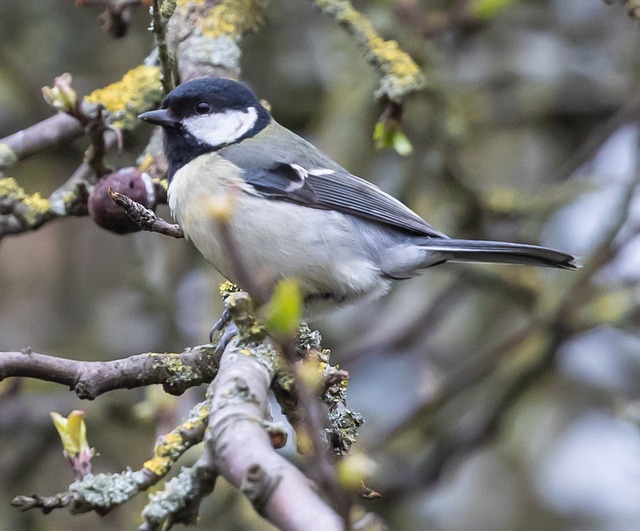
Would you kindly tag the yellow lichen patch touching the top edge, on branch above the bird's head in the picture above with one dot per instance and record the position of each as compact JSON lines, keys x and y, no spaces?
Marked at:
{"x":232,"y":18}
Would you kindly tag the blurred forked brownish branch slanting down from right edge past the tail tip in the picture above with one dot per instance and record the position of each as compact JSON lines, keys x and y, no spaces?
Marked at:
{"x":558,"y":317}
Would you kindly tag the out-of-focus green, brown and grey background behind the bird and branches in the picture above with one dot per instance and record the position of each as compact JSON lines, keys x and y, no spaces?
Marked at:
{"x":495,"y":398}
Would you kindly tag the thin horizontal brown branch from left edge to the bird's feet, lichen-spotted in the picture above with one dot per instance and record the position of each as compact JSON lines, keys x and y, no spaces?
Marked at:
{"x":88,"y":379}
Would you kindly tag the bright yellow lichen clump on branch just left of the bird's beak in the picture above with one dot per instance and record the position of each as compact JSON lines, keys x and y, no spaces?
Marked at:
{"x":137,"y":91}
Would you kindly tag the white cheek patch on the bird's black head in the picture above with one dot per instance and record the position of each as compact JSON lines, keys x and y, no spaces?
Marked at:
{"x":223,"y":127}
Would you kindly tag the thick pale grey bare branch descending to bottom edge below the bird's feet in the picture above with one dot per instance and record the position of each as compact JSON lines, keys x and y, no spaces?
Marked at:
{"x":244,"y":454}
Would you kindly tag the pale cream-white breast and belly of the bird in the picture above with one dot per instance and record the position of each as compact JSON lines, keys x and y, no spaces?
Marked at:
{"x":274,"y":239}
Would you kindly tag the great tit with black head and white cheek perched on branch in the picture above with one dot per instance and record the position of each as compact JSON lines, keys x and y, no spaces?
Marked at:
{"x":294,"y":212}
